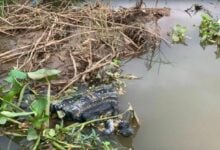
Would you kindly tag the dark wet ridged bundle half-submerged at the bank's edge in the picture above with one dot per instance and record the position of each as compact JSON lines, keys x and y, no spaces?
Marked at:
{"x":89,"y":105}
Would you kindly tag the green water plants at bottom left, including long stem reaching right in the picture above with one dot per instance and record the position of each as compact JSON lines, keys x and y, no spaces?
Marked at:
{"x":32,"y":121}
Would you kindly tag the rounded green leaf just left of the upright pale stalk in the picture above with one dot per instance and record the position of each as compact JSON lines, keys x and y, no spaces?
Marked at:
{"x":39,"y":106}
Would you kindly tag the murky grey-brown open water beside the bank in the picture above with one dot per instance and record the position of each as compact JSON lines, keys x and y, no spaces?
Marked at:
{"x":178,"y":104}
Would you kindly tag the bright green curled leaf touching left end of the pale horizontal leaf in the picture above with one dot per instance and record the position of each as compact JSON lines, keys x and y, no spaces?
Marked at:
{"x":15,"y":74}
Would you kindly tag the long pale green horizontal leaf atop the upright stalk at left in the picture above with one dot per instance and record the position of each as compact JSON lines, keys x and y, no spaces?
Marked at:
{"x":43,"y":73}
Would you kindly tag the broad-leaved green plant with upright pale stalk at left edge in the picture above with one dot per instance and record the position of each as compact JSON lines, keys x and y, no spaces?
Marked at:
{"x":38,"y":117}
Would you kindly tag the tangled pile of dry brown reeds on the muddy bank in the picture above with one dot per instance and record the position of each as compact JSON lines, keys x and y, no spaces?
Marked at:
{"x":78,"y":42}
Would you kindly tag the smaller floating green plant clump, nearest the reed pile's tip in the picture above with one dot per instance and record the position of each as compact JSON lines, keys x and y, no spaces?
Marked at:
{"x":178,"y":34}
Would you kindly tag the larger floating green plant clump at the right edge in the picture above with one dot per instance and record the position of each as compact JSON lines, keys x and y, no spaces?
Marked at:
{"x":210,"y":32}
